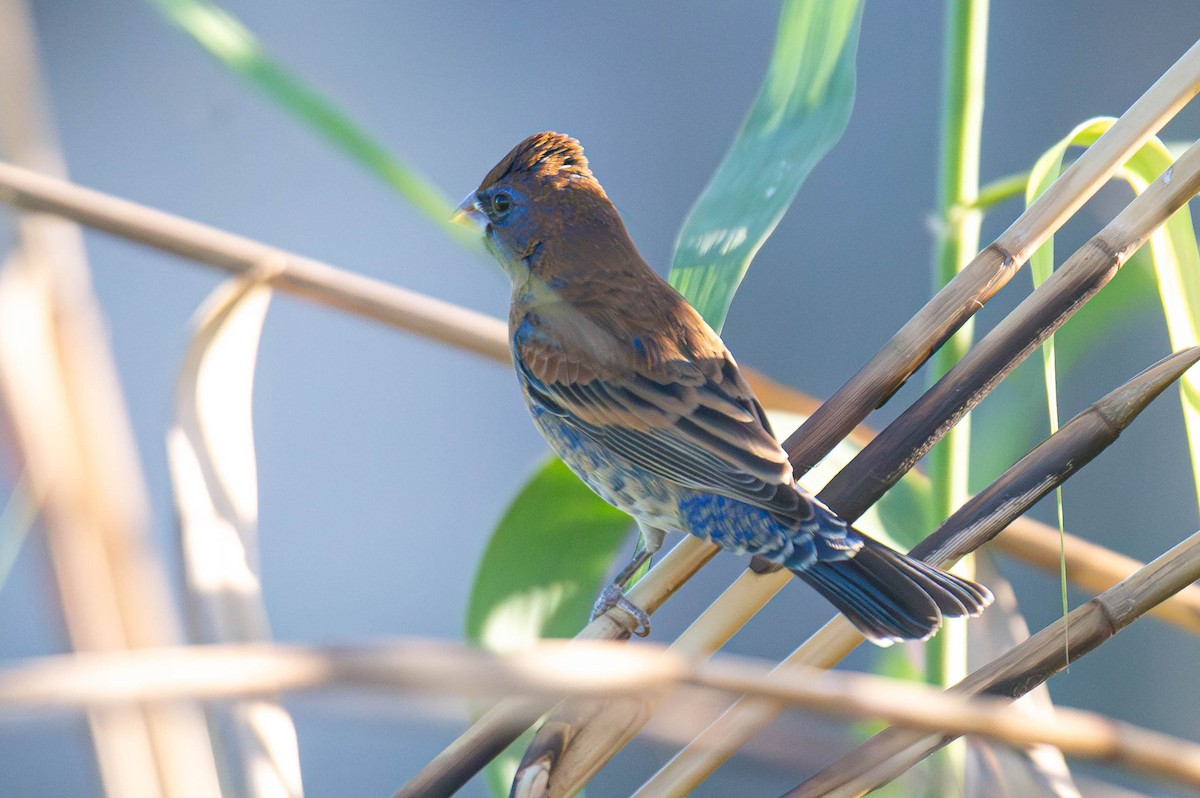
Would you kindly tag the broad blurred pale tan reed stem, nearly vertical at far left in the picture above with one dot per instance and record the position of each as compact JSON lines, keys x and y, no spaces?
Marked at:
{"x":69,"y":424}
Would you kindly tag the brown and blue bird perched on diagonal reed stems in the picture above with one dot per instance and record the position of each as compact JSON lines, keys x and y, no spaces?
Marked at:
{"x":643,"y":400}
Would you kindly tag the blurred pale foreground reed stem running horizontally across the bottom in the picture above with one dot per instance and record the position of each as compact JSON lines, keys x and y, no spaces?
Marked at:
{"x":214,"y":673}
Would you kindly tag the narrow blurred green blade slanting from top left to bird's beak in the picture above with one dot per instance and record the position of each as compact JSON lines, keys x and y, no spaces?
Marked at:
{"x":237,"y":49}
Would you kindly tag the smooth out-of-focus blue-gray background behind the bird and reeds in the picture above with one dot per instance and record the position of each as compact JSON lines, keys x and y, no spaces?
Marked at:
{"x":385,"y":460}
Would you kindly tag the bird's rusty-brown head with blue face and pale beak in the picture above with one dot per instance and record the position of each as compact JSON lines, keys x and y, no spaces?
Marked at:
{"x":541,"y":197}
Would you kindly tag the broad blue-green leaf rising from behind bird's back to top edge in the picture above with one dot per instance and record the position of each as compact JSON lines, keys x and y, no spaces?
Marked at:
{"x":800,"y":113}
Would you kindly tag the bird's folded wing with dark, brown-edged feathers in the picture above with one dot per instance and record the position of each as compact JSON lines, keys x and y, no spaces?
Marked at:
{"x":681,"y":411}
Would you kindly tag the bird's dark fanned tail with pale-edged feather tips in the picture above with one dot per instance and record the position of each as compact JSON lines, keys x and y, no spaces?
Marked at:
{"x":891,"y":597}
